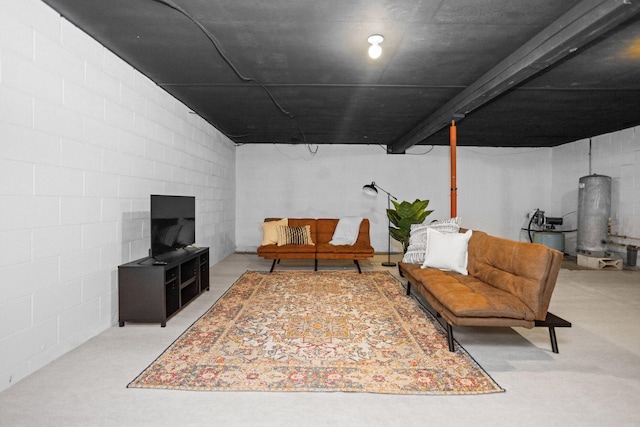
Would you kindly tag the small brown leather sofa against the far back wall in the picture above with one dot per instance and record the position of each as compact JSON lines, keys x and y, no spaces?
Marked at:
{"x":321,"y":234}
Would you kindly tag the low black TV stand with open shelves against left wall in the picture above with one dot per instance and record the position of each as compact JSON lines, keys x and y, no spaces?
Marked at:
{"x":150,"y":292}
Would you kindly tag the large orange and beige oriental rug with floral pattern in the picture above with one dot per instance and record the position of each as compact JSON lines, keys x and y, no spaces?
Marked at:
{"x":309,"y":331}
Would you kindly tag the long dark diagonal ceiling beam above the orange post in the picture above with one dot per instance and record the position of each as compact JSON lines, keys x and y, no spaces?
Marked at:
{"x":582,"y":24}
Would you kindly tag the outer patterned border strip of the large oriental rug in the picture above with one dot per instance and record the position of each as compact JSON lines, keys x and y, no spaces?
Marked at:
{"x":460,"y":351}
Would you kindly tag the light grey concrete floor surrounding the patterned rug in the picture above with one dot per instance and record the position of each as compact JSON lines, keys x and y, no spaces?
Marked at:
{"x":593,"y":381}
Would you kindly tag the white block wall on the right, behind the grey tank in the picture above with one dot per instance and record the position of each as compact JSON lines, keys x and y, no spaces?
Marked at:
{"x":616,"y":155}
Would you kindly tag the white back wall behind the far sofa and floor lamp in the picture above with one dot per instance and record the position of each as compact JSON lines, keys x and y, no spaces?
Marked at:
{"x":497,"y":187}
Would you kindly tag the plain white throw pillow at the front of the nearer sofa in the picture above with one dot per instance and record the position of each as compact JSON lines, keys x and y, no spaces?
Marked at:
{"x":447,"y":251}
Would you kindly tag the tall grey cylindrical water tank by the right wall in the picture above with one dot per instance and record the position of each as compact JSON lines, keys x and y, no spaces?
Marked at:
{"x":594,"y":210}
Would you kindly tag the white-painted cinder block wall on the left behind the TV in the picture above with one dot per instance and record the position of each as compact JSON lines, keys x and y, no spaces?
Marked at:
{"x":85,"y":140}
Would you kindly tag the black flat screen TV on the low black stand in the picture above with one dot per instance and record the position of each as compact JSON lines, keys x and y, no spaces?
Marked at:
{"x":173,"y":223}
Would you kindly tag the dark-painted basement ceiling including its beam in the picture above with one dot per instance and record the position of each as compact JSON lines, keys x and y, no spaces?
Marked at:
{"x":511,"y":73}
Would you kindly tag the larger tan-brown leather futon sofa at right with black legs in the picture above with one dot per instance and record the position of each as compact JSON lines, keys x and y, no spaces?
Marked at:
{"x":508,"y":284}
